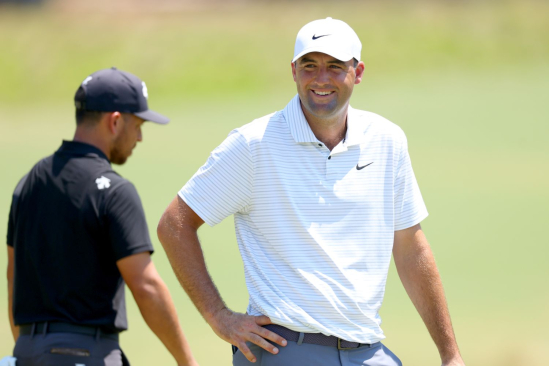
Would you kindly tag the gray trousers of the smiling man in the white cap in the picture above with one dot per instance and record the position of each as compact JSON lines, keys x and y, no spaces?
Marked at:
{"x":315,"y":355}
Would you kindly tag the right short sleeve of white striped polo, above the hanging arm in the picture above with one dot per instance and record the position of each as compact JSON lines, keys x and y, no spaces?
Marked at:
{"x":409,"y":206}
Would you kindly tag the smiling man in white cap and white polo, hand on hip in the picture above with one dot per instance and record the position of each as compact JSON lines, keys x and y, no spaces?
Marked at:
{"x":322,"y":194}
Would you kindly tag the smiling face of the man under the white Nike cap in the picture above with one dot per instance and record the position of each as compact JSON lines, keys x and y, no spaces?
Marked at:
{"x":325,"y":84}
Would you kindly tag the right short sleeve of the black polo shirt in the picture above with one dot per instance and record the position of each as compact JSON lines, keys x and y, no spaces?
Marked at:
{"x":125,"y":219}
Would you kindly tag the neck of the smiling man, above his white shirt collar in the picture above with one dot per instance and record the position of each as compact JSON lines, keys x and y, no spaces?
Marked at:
{"x":331,"y":131}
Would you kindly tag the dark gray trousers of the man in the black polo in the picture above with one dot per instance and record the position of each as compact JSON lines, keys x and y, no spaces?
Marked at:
{"x":67,"y":349}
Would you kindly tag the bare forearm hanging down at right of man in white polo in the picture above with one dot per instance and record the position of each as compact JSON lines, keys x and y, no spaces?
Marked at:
{"x":419,"y":275}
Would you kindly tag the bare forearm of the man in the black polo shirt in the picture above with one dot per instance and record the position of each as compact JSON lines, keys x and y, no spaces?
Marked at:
{"x":158,"y":310}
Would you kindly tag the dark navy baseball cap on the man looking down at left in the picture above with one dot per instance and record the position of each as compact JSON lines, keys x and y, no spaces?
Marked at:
{"x":113,"y":90}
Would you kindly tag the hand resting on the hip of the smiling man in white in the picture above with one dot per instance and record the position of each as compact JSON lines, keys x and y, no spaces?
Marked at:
{"x":237,"y":329}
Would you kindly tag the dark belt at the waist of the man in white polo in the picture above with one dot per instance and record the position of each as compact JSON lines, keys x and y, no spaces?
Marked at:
{"x":315,"y":338}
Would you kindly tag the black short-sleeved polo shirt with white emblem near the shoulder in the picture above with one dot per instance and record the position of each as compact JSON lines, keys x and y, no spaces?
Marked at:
{"x":72,"y":218}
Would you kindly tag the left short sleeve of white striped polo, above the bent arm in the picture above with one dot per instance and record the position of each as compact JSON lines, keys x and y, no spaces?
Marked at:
{"x":223,"y":186}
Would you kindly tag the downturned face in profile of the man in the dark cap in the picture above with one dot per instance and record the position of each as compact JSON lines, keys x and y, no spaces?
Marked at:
{"x":127,"y":138}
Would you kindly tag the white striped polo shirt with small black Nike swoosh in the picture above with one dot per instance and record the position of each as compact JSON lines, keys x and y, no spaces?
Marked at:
{"x":315,"y":228}
